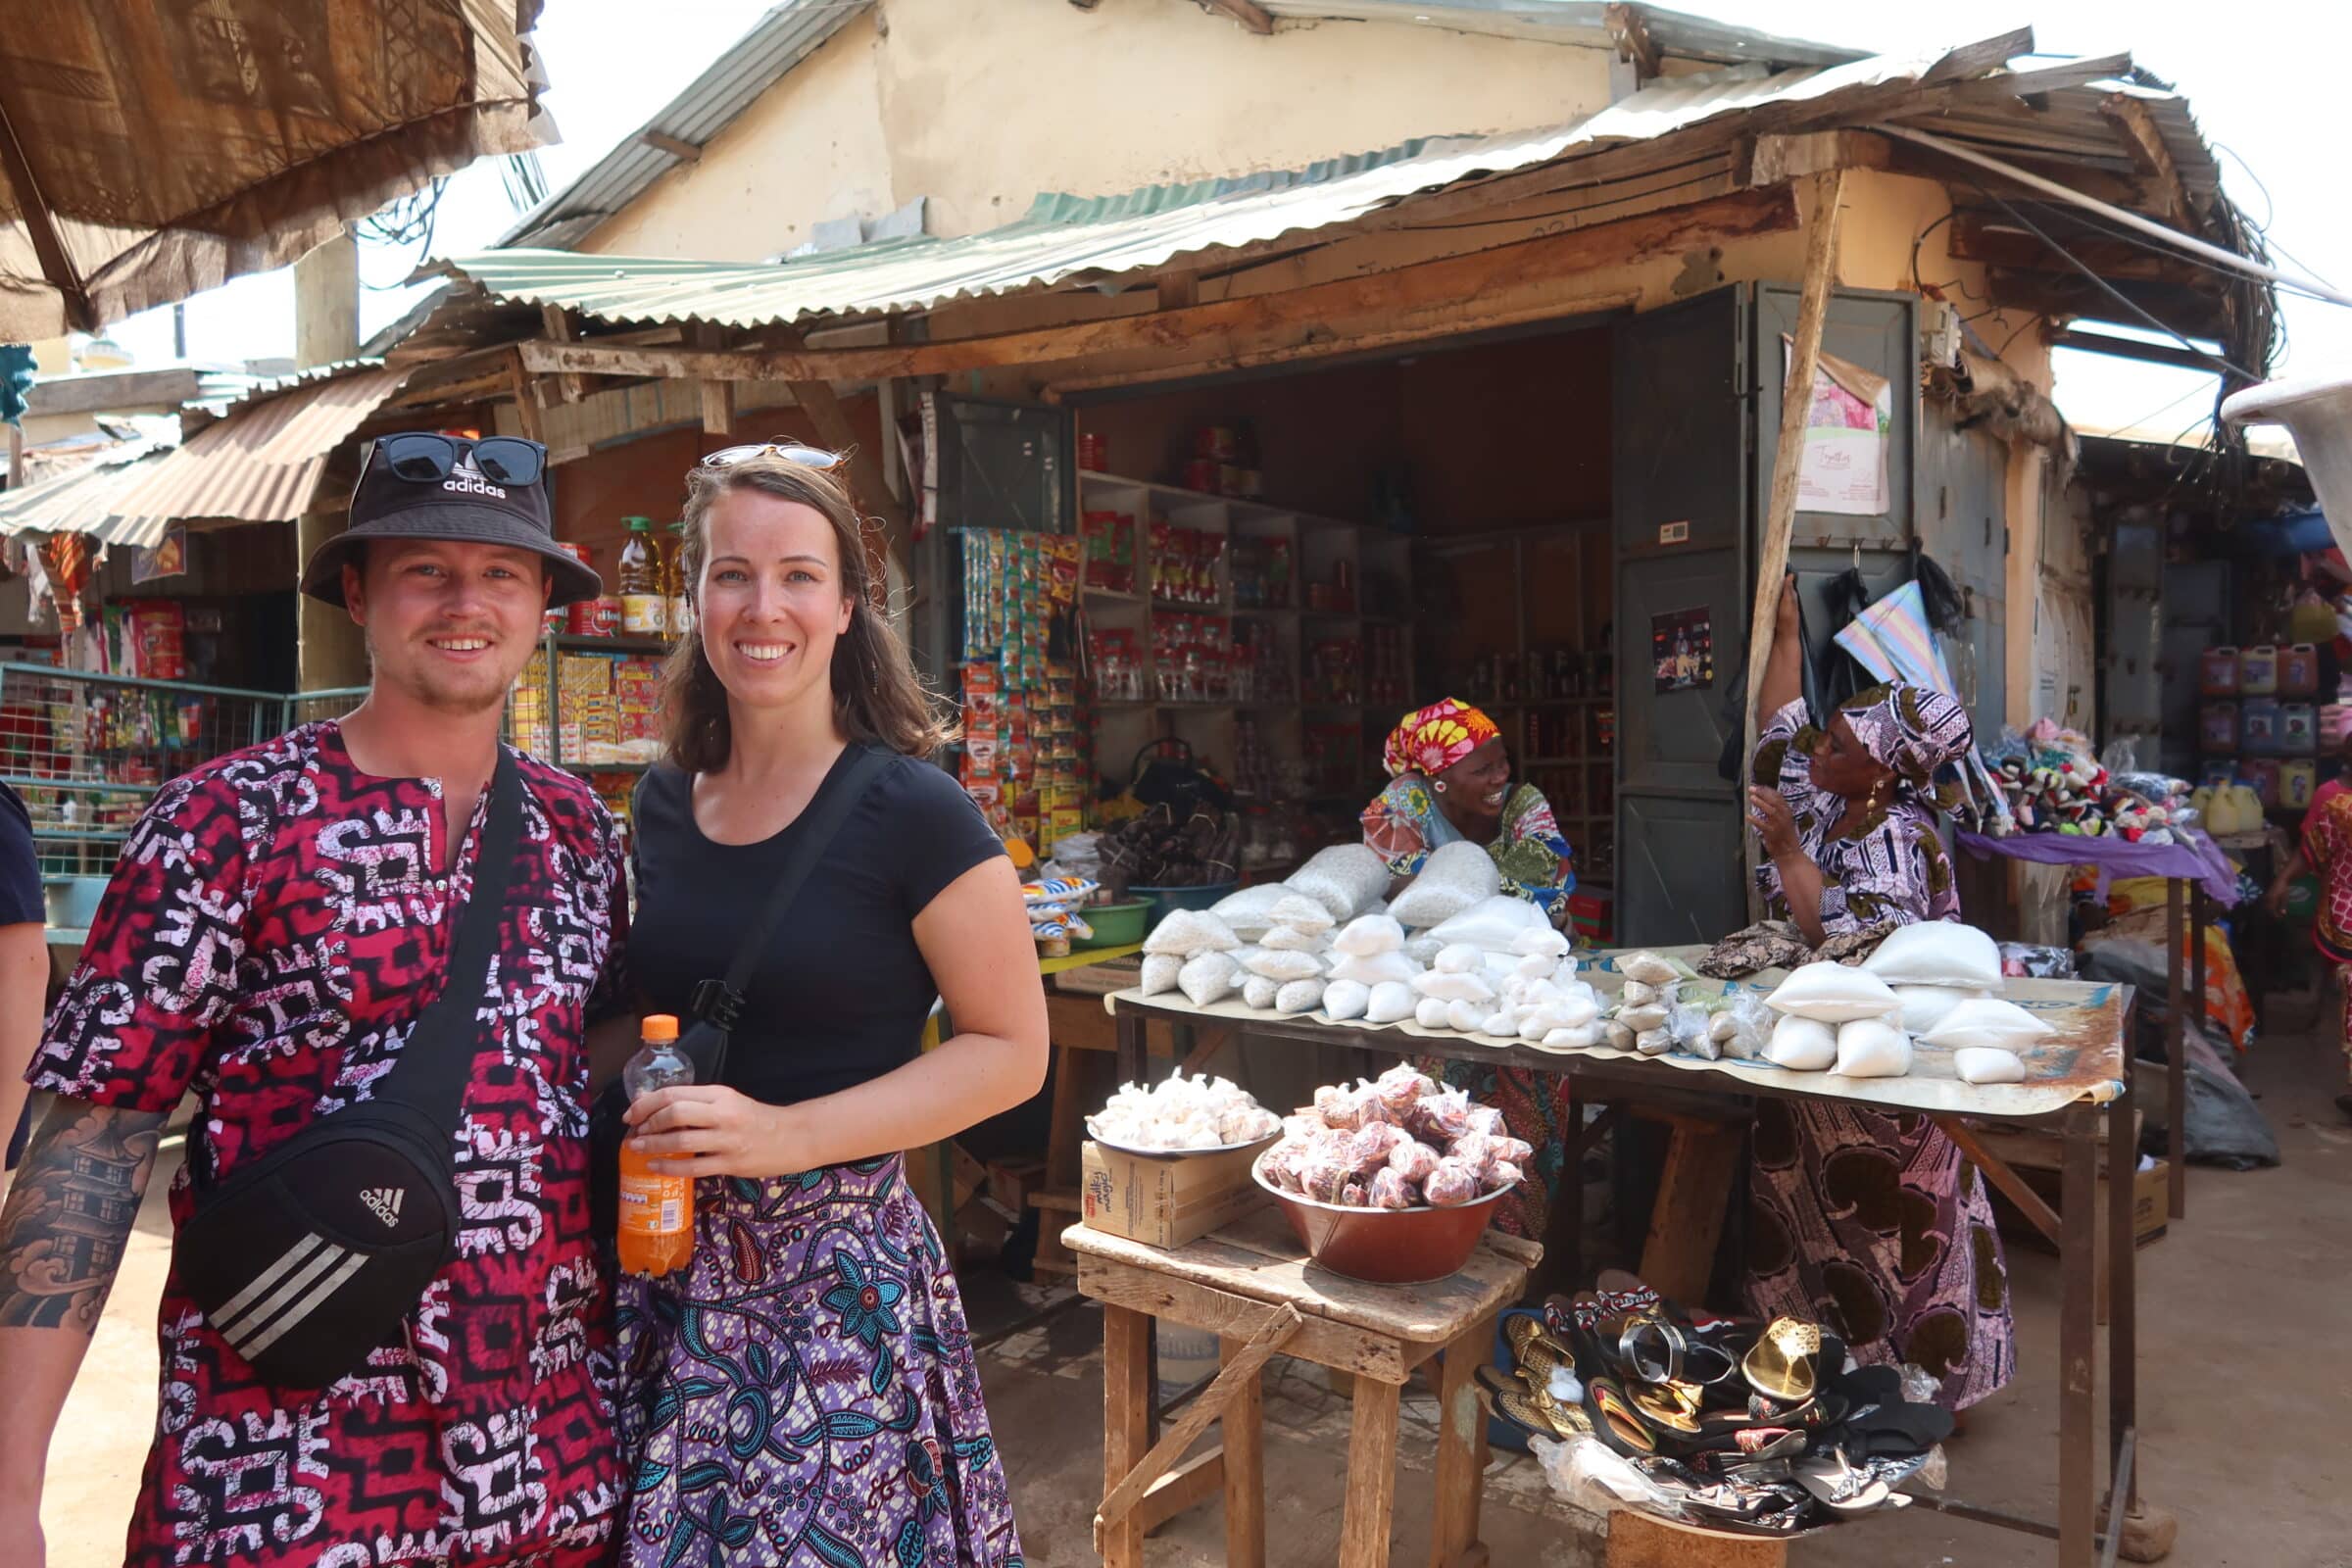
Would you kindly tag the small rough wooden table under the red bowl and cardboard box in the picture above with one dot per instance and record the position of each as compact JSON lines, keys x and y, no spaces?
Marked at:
{"x":1255,"y":1287}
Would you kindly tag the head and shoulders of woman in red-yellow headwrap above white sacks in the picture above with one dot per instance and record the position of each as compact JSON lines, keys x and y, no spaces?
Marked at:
{"x":1450,"y":779}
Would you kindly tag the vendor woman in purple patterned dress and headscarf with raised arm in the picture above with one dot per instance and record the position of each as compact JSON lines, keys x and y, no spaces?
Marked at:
{"x":1869,"y":1221}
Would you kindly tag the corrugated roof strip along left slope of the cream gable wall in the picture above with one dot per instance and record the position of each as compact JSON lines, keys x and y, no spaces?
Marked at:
{"x":735,"y":81}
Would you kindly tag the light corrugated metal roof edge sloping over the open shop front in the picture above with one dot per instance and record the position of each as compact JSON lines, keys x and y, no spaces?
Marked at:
{"x":1067,"y":239}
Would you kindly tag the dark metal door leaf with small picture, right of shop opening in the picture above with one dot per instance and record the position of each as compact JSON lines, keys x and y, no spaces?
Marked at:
{"x":1683,"y":537}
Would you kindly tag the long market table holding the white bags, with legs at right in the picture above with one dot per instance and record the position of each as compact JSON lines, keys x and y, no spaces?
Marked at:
{"x":2080,"y":1090}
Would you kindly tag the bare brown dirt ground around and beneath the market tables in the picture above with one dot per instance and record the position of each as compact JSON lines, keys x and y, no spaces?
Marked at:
{"x":2243,"y":1327}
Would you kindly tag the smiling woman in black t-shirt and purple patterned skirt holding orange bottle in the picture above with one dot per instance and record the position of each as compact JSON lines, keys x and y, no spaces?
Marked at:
{"x":806,"y":1391}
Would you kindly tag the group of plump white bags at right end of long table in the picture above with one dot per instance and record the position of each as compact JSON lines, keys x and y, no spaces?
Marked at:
{"x":1937,"y":981}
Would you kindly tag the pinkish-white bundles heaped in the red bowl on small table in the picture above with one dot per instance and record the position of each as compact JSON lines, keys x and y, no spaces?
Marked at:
{"x":1396,"y":1141}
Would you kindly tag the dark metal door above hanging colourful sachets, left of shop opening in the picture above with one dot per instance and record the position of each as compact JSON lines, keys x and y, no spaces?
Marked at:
{"x":984,"y":467}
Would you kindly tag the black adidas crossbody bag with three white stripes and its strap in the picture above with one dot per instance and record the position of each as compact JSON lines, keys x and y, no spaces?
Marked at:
{"x":312,"y":1257}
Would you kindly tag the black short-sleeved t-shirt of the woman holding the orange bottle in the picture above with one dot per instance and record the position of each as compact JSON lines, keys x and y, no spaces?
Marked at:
{"x":843,"y":991}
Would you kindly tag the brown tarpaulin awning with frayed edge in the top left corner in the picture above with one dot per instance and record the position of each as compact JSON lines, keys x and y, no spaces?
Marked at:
{"x":149,"y":152}
